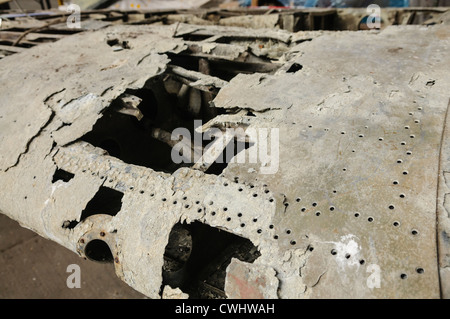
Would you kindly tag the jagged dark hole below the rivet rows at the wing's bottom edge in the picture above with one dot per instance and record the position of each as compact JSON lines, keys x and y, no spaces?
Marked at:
{"x":197,"y":256}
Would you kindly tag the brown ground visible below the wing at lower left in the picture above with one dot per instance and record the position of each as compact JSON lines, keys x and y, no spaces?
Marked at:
{"x":33,"y":267}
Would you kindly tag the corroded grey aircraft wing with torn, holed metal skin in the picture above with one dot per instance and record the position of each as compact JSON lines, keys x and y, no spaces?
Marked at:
{"x":336,"y":148}
